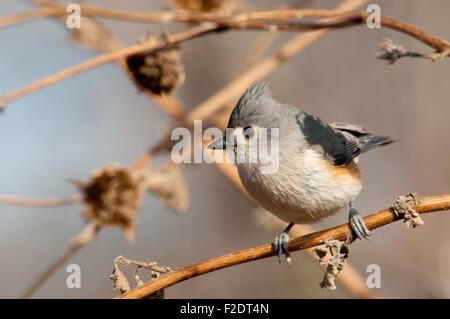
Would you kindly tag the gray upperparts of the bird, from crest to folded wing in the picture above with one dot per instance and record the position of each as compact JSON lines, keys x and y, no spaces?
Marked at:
{"x":297,"y":129}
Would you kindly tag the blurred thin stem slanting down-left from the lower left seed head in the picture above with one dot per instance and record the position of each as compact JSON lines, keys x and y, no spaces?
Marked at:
{"x":85,"y":236}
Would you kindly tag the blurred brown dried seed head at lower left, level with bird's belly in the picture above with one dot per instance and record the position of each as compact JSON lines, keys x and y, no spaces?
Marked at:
{"x":113,"y":197}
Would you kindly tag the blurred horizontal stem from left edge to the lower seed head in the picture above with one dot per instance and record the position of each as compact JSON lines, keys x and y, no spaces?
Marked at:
{"x":38,"y":202}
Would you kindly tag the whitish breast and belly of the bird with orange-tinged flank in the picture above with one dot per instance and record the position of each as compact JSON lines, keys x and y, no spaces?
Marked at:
{"x":305,"y":188}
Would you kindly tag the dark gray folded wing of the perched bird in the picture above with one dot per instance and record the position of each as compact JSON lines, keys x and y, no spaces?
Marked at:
{"x":339,"y":147}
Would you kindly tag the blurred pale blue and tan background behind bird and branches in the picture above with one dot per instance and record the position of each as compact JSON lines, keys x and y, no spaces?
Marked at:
{"x":75,"y":126}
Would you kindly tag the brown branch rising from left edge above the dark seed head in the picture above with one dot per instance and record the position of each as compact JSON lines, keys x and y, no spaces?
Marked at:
{"x":227,"y":23}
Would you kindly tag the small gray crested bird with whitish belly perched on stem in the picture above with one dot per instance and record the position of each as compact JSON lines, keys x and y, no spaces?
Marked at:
{"x":317,"y":172}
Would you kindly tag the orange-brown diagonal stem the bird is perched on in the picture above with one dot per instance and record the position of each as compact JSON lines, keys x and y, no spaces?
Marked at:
{"x":428,"y":204}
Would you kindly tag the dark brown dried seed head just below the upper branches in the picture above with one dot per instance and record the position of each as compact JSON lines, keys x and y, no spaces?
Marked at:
{"x":159,"y":71}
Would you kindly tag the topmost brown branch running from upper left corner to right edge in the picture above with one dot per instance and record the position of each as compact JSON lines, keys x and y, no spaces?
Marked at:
{"x":243,"y":20}
